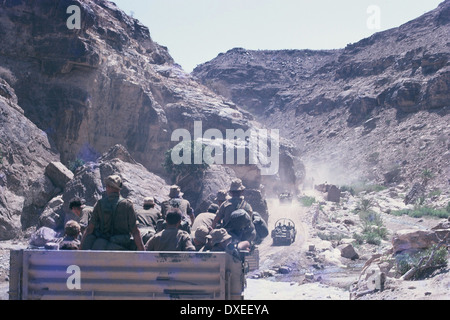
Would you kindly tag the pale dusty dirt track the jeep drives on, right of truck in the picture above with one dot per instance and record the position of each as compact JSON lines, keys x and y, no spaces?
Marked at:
{"x":289,"y":286}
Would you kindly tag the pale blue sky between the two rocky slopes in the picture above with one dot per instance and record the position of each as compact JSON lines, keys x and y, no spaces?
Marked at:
{"x":196,"y":31}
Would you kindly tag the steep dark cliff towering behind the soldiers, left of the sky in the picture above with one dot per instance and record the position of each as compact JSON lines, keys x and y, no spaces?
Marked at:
{"x":106,"y":83}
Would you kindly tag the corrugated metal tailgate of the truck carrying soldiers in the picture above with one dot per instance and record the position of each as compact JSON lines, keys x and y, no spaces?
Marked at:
{"x":125,"y":275}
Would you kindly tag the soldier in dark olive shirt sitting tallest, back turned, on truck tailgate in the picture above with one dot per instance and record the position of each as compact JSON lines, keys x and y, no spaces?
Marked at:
{"x":113,"y":222}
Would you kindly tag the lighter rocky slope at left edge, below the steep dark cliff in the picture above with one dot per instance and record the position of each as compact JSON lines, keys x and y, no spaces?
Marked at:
{"x":25,"y":152}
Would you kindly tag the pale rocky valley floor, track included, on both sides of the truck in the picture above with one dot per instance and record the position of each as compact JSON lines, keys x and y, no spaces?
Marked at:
{"x":296,"y":273}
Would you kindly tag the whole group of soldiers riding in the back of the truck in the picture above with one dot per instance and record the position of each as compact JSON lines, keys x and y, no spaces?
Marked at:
{"x":114,"y":223}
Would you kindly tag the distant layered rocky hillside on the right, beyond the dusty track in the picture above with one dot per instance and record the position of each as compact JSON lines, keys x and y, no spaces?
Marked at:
{"x":376,"y":110}
